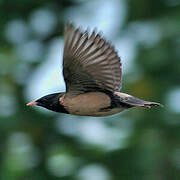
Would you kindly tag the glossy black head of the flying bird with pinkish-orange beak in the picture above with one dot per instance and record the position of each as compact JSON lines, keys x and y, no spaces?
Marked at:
{"x":50,"y":102}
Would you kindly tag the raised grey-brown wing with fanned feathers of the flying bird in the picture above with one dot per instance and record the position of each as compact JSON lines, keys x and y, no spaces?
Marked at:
{"x":89,"y":62}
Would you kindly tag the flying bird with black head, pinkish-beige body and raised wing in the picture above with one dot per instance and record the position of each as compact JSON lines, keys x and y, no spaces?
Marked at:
{"x":92,"y":72}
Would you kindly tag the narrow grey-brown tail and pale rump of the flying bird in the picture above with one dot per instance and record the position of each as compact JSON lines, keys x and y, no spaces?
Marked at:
{"x":136,"y":102}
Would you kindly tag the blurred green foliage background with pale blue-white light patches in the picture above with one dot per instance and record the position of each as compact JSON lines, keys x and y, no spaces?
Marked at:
{"x":139,"y":144}
